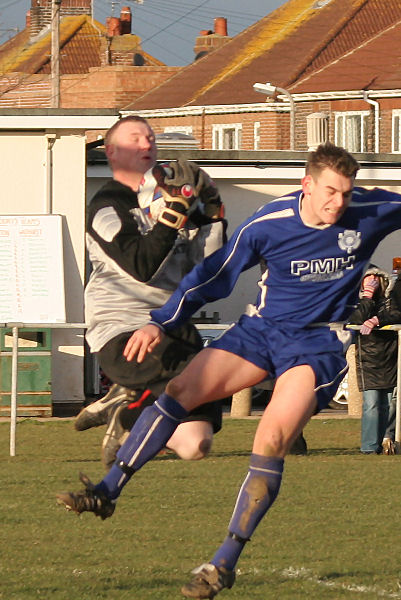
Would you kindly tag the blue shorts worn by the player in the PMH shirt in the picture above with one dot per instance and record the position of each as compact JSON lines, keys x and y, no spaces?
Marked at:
{"x":276,"y":349}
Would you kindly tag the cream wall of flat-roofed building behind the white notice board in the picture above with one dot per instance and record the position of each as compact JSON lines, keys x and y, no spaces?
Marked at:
{"x":44,"y":172}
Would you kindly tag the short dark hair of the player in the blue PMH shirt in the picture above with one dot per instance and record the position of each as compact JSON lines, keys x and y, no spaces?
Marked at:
{"x":333,"y":157}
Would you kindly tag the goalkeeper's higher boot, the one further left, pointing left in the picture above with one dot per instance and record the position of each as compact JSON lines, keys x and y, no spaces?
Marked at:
{"x":97,"y":413}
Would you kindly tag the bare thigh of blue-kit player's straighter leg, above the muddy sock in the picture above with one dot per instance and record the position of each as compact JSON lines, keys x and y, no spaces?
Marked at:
{"x":292,"y":404}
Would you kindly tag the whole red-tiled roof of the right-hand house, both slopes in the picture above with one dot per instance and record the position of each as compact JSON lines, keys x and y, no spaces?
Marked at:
{"x":286,"y":46}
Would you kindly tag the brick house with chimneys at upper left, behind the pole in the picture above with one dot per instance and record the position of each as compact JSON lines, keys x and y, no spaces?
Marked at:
{"x":100,"y":66}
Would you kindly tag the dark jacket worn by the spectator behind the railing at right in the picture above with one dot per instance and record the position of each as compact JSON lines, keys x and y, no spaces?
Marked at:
{"x":376,"y":353}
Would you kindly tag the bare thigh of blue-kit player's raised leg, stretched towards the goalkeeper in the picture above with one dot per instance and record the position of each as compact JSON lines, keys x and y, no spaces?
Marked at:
{"x":213,"y":374}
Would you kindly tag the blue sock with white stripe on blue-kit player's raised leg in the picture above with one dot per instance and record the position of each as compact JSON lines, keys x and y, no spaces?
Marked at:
{"x":153,"y":428}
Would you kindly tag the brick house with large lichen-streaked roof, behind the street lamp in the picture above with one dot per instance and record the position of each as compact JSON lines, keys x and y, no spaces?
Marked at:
{"x":337,"y":59}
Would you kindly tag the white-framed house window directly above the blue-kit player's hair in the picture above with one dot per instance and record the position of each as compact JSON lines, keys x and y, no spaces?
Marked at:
{"x":351,"y":131}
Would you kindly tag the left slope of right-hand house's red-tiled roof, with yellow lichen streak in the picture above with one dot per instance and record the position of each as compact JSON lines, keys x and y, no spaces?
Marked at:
{"x":275,"y":49}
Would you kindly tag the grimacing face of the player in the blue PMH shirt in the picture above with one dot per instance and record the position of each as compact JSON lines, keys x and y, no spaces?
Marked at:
{"x":325,"y":197}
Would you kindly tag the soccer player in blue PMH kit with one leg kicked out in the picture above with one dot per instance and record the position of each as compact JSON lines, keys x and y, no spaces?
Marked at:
{"x":316,"y":243}
